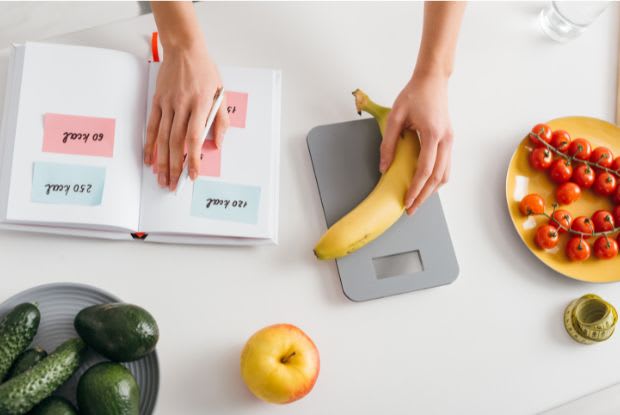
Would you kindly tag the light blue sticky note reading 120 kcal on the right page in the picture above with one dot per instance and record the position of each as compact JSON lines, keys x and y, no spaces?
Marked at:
{"x":225,"y":201}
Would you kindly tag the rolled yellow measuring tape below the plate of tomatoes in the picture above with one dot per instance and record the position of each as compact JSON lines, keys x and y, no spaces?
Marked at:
{"x":590,"y":319}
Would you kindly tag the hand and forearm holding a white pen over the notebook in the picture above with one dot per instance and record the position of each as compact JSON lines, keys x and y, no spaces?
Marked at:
{"x":187,"y":82}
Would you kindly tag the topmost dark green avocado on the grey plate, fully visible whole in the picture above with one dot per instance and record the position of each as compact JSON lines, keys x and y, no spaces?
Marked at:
{"x":121,"y":332}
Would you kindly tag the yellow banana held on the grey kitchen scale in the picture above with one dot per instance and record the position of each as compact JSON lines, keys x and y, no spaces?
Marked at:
{"x":385,"y":204}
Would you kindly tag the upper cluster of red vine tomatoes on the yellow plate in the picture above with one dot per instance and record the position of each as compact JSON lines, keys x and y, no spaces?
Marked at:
{"x":578,"y":167}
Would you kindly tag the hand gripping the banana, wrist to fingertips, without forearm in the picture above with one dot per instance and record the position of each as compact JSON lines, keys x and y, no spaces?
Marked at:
{"x":422,"y":106}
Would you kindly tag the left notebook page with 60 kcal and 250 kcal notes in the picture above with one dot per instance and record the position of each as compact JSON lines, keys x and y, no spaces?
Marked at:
{"x":77,"y":146}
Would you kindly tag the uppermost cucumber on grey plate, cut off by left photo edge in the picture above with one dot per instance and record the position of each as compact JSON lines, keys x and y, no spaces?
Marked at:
{"x":17,"y":330}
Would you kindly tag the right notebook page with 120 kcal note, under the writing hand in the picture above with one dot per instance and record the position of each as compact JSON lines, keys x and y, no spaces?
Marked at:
{"x":235,"y":194}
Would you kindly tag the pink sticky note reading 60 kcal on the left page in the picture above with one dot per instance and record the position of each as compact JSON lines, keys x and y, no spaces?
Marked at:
{"x":76,"y":134}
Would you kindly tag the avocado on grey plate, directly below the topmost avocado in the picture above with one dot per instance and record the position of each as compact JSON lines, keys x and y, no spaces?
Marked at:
{"x":108,"y":389}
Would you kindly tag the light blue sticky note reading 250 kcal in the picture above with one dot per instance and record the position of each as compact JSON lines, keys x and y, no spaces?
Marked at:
{"x":67,"y":184}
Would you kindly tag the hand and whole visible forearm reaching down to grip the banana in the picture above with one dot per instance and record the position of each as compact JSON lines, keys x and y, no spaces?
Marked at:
{"x":422,"y":105}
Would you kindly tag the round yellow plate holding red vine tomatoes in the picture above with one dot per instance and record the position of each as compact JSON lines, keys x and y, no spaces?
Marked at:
{"x":521,"y":180}
